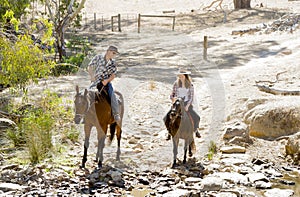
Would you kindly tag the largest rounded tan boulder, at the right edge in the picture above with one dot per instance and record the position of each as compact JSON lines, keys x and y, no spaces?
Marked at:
{"x":274,"y":119}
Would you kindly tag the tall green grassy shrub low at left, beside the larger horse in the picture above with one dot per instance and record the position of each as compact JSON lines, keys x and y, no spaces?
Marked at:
{"x":40,"y":124}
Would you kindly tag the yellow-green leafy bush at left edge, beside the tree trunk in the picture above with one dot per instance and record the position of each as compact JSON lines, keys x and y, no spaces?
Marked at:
{"x":22,"y":63}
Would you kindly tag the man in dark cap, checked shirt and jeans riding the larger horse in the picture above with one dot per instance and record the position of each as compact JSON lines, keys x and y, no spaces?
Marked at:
{"x":102,"y":70}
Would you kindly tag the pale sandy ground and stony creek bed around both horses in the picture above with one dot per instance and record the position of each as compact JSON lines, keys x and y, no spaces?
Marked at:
{"x":249,"y":46}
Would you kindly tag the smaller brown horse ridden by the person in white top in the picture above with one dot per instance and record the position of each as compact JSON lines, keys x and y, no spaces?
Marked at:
{"x":180,"y":126}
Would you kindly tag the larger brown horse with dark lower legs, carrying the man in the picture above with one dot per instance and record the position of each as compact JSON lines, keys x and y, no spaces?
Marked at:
{"x":95,"y":110}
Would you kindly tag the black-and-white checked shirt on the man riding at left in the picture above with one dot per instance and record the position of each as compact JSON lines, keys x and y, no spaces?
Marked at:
{"x":103,"y":69}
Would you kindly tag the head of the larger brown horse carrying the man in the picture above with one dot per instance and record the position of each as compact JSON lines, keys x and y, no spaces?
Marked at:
{"x":81,"y":103}
